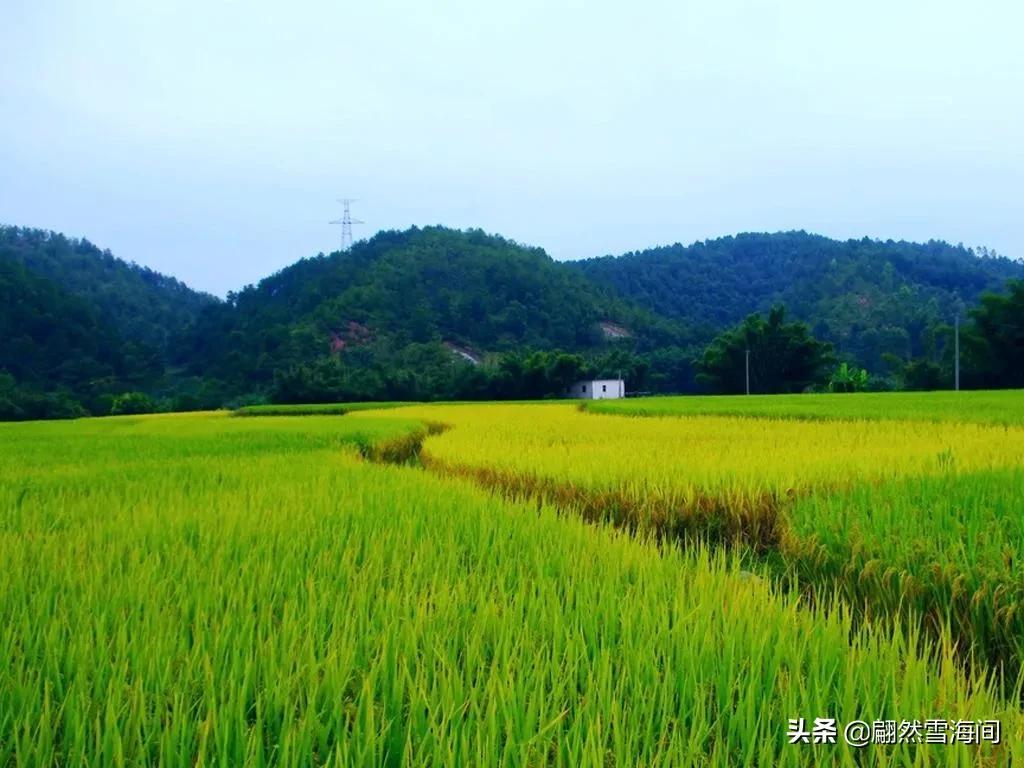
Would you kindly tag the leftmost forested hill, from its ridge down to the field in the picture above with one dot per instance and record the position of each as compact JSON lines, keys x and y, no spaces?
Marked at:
{"x":79,"y":327}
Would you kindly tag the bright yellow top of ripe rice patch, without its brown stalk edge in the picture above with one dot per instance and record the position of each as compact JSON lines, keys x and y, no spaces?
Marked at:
{"x":708,"y":454}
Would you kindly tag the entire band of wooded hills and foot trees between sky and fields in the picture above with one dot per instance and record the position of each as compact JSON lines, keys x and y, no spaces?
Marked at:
{"x":397,"y":318}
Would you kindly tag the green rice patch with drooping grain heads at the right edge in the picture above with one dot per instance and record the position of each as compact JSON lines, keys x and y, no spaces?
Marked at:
{"x":947,"y":547}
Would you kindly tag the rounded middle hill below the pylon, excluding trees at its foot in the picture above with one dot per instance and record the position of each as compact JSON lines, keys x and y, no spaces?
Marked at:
{"x":474,"y":293}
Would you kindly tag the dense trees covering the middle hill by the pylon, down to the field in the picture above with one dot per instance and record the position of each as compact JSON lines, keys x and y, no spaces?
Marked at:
{"x":396,"y":317}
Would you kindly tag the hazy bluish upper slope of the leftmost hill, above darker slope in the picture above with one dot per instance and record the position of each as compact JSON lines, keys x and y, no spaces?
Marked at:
{"x":142,"y":306}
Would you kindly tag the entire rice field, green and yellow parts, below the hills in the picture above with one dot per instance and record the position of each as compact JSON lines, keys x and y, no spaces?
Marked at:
{"x":314,"y":590}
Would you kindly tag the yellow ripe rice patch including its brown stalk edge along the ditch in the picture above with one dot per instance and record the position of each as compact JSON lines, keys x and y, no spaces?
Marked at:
{"x":719,"y":478}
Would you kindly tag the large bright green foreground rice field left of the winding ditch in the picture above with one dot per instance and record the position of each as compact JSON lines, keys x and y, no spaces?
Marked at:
{"x":199,"y":590}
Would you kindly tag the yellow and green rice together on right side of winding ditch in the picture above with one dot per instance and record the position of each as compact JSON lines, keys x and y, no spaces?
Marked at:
{"x":913,"y":518}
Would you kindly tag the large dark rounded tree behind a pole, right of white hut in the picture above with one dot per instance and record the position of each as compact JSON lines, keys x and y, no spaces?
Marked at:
{"x":784,"y":357}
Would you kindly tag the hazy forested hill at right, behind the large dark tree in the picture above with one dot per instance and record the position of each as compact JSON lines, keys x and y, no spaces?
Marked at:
{"x":868,"y":297}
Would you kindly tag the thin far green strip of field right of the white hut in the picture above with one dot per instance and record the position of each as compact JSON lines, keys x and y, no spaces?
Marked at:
{"x":995,"y":408}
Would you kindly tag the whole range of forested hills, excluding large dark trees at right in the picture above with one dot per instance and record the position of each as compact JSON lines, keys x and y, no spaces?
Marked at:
{"x":436,"y":313}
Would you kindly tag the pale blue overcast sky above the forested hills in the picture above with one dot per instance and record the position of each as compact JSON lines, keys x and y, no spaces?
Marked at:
{"x":210,"y":140}
